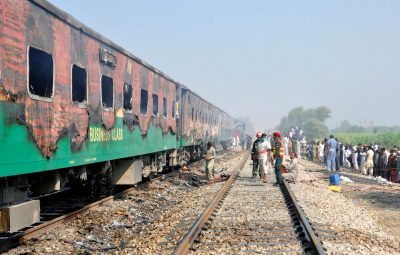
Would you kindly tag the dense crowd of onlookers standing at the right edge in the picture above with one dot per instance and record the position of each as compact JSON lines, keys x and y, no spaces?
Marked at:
{"x":368,"y":159}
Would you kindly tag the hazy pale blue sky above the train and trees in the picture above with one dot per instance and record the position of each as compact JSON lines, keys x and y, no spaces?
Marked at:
{"x":262,"y":58}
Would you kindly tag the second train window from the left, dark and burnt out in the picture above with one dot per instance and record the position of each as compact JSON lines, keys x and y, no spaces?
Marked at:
{"x":79,"y":86}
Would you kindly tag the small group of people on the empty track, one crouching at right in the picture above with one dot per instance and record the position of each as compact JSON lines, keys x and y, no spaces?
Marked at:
{"x":268,"y":152}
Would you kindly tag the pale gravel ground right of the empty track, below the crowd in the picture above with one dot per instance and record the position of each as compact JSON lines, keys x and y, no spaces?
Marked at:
{"x":350,"y":222}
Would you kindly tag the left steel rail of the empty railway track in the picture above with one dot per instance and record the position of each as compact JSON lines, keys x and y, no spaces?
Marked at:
{"x":187,"y":241}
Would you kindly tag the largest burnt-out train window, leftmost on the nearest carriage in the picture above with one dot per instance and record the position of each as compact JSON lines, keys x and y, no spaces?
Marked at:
{"x":40,"y":73}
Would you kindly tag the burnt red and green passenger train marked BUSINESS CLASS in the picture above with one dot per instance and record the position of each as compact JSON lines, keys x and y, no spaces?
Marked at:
{"x":73,"y":103}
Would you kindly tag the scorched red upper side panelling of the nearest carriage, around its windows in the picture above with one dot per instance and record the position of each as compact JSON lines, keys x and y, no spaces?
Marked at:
{"x":27,"y":25}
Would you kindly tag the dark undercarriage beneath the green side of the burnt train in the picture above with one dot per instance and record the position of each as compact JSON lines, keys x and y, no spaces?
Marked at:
{"x":19,"y":195}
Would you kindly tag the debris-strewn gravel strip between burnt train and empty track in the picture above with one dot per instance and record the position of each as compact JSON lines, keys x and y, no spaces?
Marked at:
{"x":149,"y":220}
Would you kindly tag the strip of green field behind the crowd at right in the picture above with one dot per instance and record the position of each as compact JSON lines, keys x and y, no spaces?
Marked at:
{"x":388,"y":139}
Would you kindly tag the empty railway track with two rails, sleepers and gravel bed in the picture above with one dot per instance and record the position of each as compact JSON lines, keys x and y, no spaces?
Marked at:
{"x":250,"y":217}
